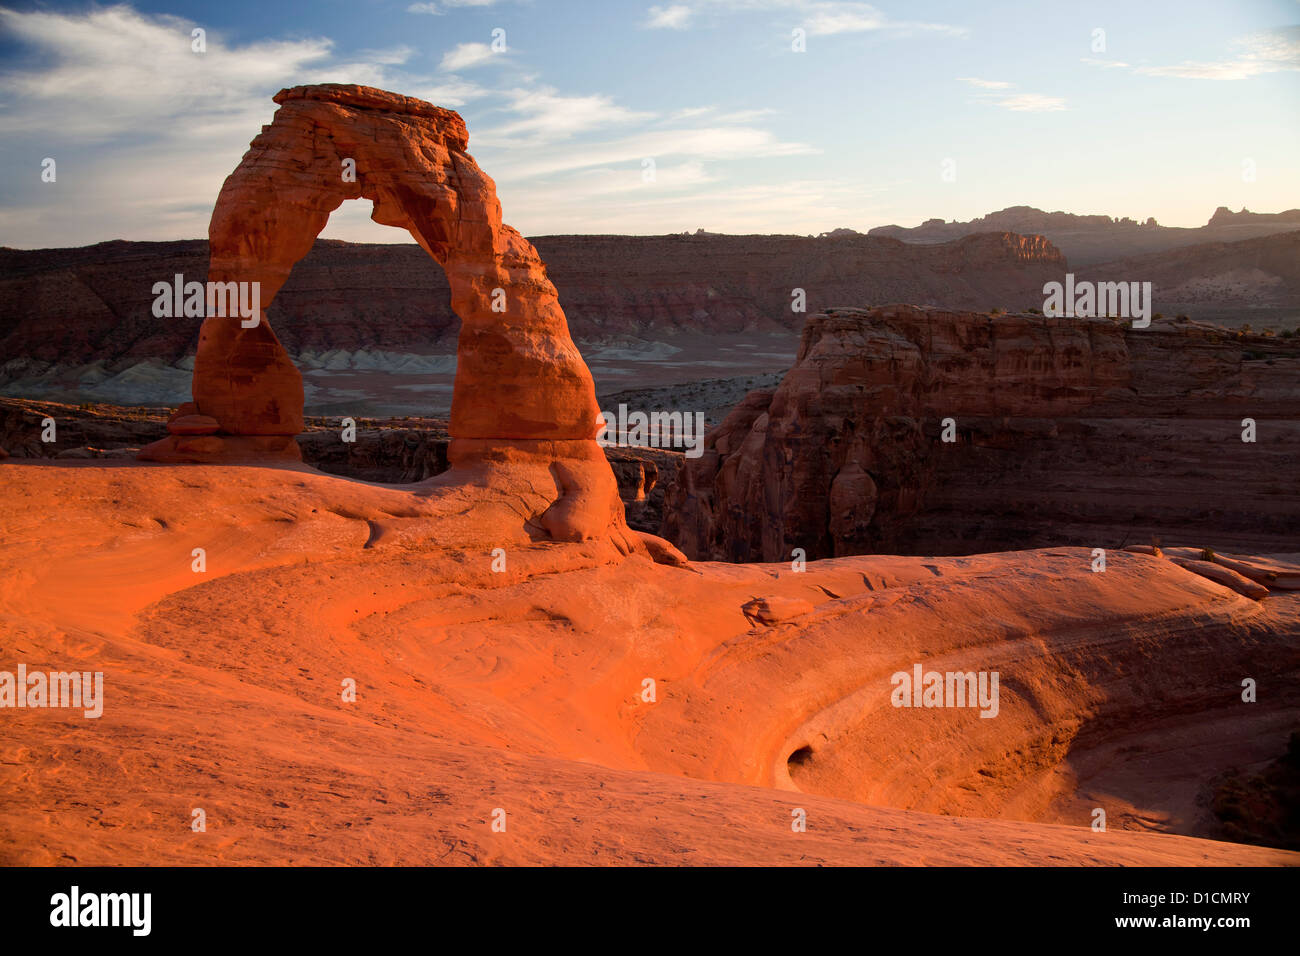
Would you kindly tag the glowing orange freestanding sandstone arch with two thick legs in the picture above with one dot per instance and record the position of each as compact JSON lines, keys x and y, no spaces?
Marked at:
{"x":523,"y":399}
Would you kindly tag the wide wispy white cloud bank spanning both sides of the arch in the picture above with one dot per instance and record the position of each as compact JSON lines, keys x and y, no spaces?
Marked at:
{"x":145,"y":157}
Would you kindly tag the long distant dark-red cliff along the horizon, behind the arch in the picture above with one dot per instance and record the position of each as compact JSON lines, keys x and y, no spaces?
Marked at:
{"x":77,"y":325}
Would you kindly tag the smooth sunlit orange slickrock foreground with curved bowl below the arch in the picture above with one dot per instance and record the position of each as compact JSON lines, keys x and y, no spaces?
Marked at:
{"x":527,"y":689}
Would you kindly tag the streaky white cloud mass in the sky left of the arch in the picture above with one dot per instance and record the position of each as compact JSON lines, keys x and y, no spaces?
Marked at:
{"x":144,"y":157}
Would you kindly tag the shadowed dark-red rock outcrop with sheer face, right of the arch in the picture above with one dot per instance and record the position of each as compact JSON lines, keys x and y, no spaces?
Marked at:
{"x":1064,"y":431}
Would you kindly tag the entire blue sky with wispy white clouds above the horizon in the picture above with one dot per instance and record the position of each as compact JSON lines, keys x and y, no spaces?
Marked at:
{"x":759,"y":116}
